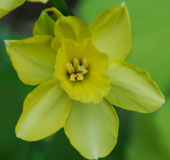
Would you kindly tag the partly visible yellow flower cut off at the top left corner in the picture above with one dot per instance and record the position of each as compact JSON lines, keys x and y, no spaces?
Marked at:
{"x":7,"y":6}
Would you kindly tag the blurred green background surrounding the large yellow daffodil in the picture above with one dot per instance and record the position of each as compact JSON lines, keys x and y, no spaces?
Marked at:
{"x":141,"y":136}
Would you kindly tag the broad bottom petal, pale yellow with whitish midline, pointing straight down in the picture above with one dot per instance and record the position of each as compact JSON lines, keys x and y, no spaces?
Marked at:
{"x":92,"y":128}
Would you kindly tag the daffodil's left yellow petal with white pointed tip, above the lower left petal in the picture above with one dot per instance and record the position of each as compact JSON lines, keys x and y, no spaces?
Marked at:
{"x":32,"y":58}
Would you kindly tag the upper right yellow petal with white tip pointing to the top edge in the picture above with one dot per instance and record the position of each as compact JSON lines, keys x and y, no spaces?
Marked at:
{"x":111,"y":32}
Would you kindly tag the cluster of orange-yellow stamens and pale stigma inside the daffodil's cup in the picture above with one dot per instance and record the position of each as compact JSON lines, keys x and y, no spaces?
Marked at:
{"x":77,"y":69}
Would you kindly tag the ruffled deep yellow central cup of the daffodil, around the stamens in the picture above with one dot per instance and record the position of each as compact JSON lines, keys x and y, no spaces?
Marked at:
{"x":95,"y":84}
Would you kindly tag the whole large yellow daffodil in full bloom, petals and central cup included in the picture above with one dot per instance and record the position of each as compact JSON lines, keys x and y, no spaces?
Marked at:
{"x":81,"y":72}
